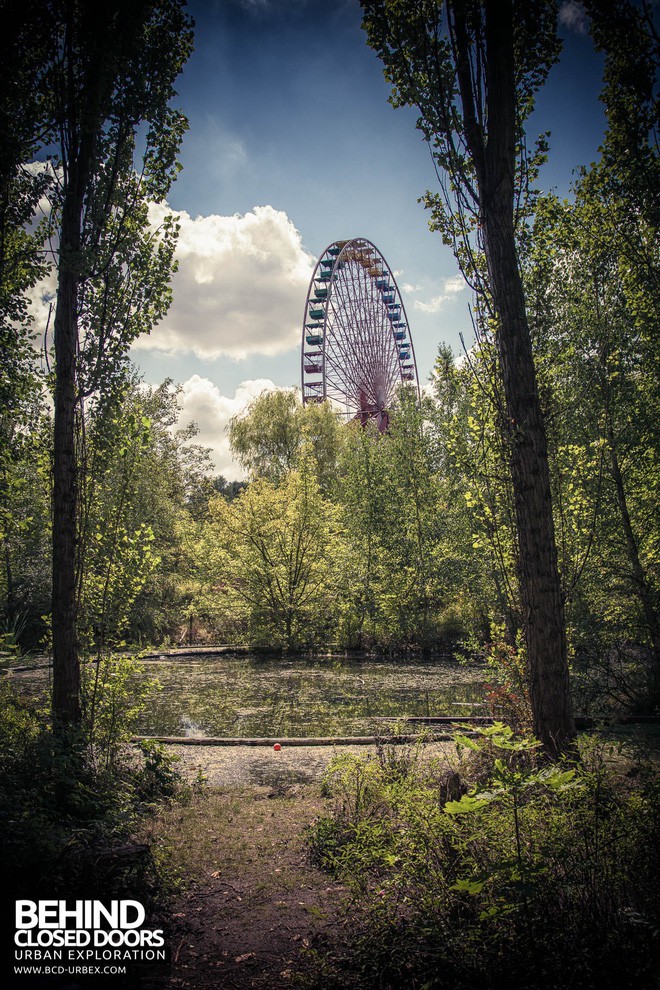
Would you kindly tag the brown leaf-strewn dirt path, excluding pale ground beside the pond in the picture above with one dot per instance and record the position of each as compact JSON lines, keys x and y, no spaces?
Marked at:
{"x":255,"y":906}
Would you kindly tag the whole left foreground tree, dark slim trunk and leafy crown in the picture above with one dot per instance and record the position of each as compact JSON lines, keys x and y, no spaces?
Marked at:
{"x":109,"y":81}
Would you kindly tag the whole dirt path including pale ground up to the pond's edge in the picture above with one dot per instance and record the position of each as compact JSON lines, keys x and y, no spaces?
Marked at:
{"x":253,"y":908}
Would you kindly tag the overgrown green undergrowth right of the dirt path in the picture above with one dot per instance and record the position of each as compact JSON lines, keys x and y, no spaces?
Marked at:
{"x":536,"y":876}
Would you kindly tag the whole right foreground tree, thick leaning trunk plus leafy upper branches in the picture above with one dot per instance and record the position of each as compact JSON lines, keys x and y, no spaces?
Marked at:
{"x":471,"y":68}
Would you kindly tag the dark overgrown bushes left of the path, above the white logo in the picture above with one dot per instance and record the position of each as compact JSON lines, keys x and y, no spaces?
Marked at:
{"x":71,"y":803}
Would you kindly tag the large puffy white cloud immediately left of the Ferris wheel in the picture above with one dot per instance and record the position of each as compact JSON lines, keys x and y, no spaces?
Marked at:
{"x":240,"y":288}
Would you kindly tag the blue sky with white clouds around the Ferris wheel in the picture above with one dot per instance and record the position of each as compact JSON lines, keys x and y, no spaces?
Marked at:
{"x":293,"y":145}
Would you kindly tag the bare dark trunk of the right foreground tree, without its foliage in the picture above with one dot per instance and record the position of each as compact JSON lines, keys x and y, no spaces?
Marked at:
{"x":540,"y":587}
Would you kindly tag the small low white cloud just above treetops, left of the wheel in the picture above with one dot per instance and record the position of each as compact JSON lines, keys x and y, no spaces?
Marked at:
{"x":202,"y":402}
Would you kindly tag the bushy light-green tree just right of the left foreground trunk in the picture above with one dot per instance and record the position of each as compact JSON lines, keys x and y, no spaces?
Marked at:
{"x":145,"y":486}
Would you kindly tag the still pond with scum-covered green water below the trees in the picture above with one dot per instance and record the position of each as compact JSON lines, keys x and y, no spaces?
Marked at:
{"x":247,"y":695}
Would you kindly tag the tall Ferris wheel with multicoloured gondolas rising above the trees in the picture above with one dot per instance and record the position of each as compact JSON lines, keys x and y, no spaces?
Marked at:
{"x":356,"y":343}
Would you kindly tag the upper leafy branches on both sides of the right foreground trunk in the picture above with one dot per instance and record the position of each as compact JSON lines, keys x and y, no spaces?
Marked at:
{"x":424,"y":47}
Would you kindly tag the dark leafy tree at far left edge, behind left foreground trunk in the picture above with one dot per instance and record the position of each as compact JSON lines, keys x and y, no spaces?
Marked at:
{"x":24,"y":518}
